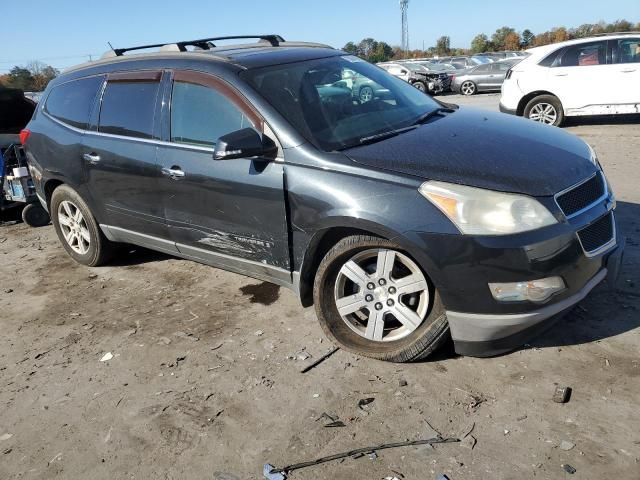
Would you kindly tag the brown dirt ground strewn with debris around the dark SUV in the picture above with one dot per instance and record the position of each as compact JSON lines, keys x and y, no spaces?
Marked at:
{"x":205,"y":378}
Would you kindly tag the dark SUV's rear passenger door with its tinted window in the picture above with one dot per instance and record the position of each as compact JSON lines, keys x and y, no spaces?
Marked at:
{"x":120,"y":155}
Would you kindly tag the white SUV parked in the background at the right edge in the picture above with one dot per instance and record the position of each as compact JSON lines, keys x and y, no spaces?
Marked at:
{"x":589,"y":76}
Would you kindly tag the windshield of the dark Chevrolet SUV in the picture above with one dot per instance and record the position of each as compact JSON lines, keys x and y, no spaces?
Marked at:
{"x":340,"y":101}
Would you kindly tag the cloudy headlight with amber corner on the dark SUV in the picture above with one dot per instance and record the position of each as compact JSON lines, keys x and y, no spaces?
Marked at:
{"x":476,"y":211}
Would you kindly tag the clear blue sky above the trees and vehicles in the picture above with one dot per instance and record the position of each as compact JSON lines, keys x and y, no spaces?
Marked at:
{"x":64,"y":32}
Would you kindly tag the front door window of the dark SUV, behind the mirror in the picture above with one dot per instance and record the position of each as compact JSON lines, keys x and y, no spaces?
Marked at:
{"x":200,"y":115}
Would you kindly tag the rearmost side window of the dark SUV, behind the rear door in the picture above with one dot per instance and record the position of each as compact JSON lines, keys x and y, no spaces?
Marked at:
{"x":71,"y":102}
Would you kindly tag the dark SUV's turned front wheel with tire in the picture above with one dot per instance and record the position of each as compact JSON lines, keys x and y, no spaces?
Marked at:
{"x":396,"y":341}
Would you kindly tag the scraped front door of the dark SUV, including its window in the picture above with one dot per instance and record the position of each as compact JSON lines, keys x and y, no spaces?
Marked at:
{"x":228,"y":213}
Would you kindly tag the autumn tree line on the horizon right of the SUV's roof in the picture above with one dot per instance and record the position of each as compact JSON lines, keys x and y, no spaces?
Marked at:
{"x":504,"y":38}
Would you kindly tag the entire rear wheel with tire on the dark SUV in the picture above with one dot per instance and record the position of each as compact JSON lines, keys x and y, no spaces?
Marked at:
{"x":87,"y":244}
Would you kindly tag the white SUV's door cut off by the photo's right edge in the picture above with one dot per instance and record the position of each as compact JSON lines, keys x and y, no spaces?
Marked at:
{"x":625,"y":74}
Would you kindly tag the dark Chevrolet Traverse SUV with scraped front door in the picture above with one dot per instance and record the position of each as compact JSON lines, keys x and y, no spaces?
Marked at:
{"x":401,"y":218}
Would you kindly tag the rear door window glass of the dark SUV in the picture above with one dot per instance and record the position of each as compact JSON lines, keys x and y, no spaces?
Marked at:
{"x":128,"y":108}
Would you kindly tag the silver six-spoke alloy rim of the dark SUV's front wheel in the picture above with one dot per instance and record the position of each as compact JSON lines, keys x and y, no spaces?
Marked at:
{"x":381,"y":295}
